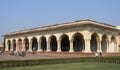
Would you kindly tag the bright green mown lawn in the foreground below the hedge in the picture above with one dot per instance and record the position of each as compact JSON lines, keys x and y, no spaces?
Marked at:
{"x":70,"y":66}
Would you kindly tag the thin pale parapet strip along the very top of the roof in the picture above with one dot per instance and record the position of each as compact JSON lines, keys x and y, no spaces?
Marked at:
{"x":61,"y":25}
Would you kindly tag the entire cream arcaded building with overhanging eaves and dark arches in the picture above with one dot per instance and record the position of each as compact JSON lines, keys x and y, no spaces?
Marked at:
{"x":84,"y":36}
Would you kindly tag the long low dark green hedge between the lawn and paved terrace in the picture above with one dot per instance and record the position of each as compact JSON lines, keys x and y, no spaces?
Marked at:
{"x":17,"y":63}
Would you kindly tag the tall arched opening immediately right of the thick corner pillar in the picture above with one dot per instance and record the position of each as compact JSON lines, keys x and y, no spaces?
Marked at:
{"x":94,"y":42}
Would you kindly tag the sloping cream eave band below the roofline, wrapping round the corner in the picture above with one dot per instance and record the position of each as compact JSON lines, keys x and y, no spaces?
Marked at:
{"x":63,"y":26}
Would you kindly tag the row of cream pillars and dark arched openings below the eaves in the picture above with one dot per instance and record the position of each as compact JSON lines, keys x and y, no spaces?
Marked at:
{"x":76,"y":42}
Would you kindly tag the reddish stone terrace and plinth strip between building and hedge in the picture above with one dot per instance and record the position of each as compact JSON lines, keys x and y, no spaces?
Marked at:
{"x":51,"y":55}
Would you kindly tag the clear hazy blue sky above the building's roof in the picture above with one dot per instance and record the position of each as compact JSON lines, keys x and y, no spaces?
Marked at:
{"x":18,"y":15}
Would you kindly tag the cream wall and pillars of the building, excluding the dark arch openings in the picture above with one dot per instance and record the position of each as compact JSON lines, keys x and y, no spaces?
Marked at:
{"x":86,"y":31}
